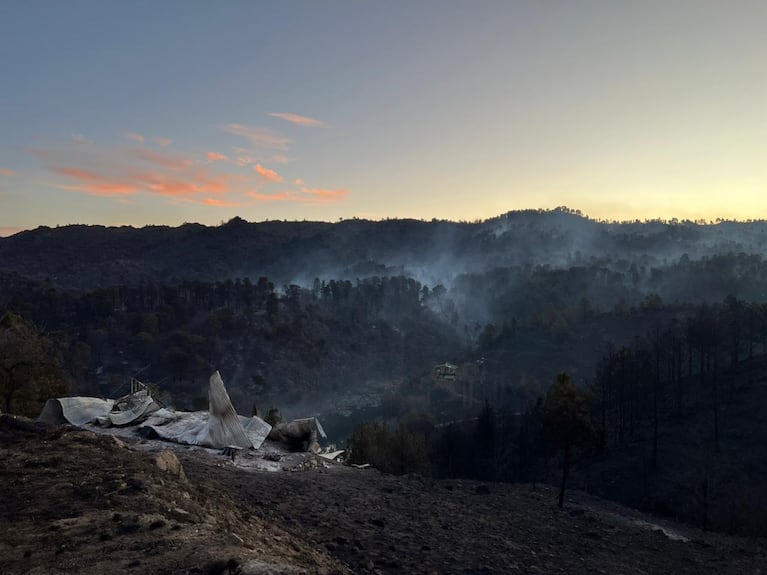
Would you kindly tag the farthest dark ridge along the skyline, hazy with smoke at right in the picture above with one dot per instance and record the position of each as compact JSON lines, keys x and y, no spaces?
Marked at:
{"x":433,"y":252}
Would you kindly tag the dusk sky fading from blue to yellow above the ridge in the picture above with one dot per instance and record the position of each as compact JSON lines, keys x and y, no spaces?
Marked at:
{"x":162,"y":112}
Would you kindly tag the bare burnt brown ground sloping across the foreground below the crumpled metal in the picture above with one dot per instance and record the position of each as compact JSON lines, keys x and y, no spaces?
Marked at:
{"x":73,"y":501}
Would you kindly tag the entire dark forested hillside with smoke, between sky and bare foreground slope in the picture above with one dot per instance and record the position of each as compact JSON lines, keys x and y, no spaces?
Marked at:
{"x":662,"y":325}
